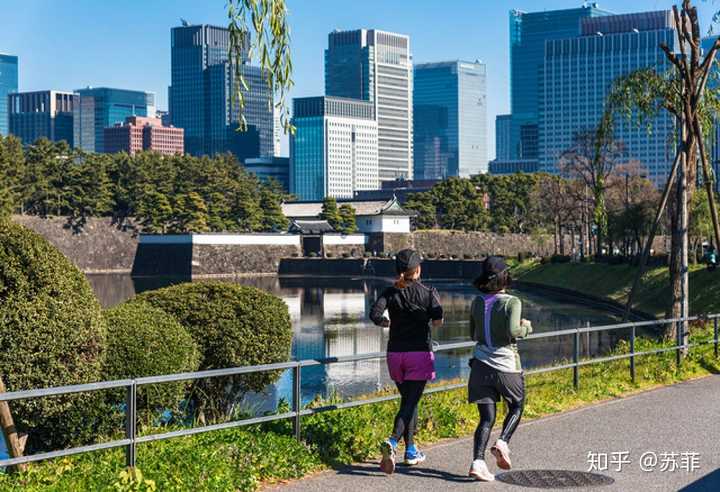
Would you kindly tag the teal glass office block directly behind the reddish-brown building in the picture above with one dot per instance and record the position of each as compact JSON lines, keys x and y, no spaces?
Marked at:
{"x":98,"y":108}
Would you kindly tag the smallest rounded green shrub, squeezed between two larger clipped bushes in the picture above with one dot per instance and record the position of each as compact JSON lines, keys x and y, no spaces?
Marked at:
{"x":146,"y":341}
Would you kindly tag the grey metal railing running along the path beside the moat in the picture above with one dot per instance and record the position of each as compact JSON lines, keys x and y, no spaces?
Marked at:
{"x":131,"y":439}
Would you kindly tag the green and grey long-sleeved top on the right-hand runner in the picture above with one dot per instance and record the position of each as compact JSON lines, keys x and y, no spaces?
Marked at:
{"x":495,"y":326}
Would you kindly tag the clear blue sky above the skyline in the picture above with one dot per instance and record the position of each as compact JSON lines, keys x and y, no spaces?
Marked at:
{"x":69,"y":44}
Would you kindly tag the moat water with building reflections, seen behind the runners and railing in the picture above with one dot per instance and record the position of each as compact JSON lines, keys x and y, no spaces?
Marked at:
{"x":329,"y":317}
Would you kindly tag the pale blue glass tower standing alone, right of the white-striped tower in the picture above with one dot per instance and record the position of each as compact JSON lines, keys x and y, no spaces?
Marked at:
{"x":449,"y":119}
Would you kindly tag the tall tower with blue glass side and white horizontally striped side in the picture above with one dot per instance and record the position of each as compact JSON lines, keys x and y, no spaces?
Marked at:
{"x":376,"y":66}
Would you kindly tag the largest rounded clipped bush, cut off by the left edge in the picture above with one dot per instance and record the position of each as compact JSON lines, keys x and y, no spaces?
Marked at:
{"x":51,"y":334}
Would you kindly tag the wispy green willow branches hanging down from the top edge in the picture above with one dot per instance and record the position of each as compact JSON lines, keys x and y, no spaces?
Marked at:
{"x":259,"y":31}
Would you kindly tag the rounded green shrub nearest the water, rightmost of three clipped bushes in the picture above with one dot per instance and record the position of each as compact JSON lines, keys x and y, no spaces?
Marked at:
{"x":234,"y":326}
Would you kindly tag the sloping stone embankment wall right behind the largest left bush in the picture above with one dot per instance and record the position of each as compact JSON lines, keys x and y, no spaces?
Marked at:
{"x":101,"y":247}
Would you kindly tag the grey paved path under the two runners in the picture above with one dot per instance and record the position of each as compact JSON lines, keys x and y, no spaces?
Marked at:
{"x":681,"y":418}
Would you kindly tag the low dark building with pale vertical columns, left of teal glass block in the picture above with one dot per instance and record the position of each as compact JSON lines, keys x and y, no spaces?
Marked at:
{"x":47,"y":114}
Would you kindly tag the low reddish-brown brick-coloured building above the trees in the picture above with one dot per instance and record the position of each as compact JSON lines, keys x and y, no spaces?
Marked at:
{"x":139,"y":133}
